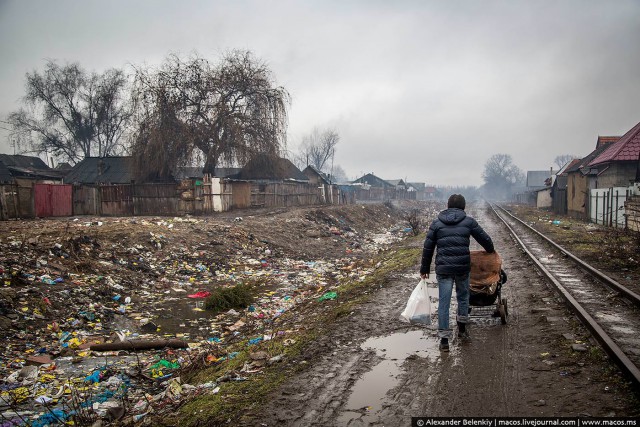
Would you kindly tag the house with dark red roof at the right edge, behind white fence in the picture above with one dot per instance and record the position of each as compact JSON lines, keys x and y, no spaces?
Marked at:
{"x":617,"y":165}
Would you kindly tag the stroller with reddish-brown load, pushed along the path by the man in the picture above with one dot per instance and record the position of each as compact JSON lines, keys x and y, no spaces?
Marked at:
{"x":485,"y":283}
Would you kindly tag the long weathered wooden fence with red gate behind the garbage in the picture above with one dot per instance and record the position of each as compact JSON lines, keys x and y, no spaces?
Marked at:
{"x":195,"y":197}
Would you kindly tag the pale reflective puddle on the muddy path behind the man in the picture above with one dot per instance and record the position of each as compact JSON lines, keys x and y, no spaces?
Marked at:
{"x":368,"y":394}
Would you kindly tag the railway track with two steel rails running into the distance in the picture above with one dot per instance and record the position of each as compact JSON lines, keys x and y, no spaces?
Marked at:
{"x":608,"y":309}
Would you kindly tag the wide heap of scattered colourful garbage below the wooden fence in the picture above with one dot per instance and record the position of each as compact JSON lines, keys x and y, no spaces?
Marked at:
{"x":101,"y":318}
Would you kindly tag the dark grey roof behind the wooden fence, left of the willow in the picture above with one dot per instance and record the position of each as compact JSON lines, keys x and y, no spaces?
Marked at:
{"x":102,"y":170}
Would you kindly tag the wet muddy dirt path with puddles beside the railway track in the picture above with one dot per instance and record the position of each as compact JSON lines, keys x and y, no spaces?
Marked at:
{"x":375,"y":370}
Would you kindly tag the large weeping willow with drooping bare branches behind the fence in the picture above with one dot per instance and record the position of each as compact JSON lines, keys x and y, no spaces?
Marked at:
{"x":225,"y":113}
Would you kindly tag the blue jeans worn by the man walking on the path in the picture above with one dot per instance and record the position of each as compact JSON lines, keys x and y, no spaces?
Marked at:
{"x":445,"y":290}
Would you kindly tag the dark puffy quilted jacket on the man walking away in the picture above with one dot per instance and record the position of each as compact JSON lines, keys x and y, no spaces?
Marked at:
{"x":450,"y":234}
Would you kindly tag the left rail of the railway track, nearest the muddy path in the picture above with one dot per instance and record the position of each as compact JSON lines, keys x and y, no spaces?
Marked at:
{"x":614,"y":351}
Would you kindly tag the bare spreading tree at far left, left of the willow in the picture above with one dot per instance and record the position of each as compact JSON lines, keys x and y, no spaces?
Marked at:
{"x":73,"y":114}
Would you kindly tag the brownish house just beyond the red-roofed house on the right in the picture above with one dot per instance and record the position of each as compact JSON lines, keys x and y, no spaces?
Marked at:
{"x":581,"y":178}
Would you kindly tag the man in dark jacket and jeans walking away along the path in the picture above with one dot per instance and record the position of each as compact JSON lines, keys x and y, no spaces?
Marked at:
{"x":449,"y":235}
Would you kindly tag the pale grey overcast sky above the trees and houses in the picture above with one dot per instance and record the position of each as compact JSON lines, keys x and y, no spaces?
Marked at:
{"x":420,"y":90}
